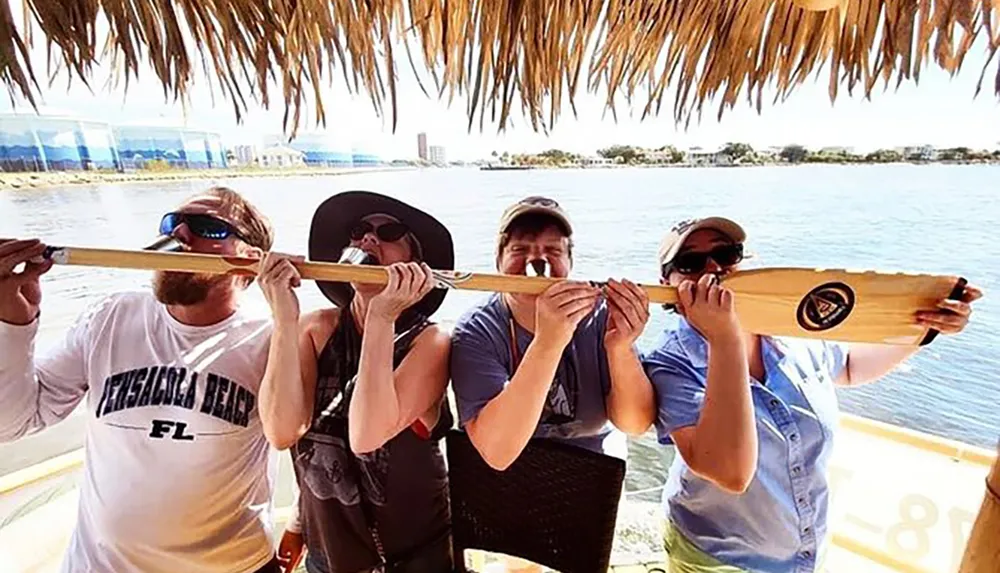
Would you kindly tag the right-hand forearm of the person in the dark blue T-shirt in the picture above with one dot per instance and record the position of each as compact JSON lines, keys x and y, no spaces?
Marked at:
{"x":631,"y":402}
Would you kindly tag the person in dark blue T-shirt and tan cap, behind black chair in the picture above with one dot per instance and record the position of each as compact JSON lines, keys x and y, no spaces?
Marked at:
{"x":561,"y":364}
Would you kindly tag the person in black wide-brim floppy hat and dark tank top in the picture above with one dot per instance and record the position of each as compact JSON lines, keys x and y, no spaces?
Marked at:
{"x":357,"y":391}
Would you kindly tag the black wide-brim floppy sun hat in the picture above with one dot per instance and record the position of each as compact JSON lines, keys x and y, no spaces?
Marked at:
{"x":330,"y":235}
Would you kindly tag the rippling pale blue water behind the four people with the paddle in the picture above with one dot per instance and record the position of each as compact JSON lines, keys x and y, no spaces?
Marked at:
{"x":936,"y":219}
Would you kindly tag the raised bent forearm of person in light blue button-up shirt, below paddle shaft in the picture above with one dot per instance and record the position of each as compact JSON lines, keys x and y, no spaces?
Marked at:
{"x":725,"y":445}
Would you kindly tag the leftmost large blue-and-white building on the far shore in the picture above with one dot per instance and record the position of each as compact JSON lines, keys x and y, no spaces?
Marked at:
{"x":30,"y":142}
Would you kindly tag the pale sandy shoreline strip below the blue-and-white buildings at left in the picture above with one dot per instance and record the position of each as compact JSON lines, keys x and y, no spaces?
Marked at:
{"x":47,"y":179}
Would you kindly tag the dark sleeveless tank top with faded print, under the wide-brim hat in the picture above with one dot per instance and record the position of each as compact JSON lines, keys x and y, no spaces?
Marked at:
{"x":369,"y":511}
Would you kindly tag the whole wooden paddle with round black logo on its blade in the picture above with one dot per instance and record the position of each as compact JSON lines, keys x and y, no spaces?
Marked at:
{"x":830,"y":304}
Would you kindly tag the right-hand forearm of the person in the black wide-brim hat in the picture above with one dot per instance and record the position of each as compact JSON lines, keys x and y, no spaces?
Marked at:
{"x":374,"y":410}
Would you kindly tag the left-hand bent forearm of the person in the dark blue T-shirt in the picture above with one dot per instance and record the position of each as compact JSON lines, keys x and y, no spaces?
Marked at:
{"x":505,"y":425}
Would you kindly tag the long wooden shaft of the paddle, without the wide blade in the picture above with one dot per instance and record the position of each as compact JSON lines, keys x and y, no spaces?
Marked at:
{"x":320,"y":271}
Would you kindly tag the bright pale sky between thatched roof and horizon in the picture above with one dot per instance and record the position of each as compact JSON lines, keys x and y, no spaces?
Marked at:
{"x":940,"y":111}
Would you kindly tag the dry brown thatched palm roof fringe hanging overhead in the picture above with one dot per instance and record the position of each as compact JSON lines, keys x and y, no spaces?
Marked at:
{"x":495,"y":52}
